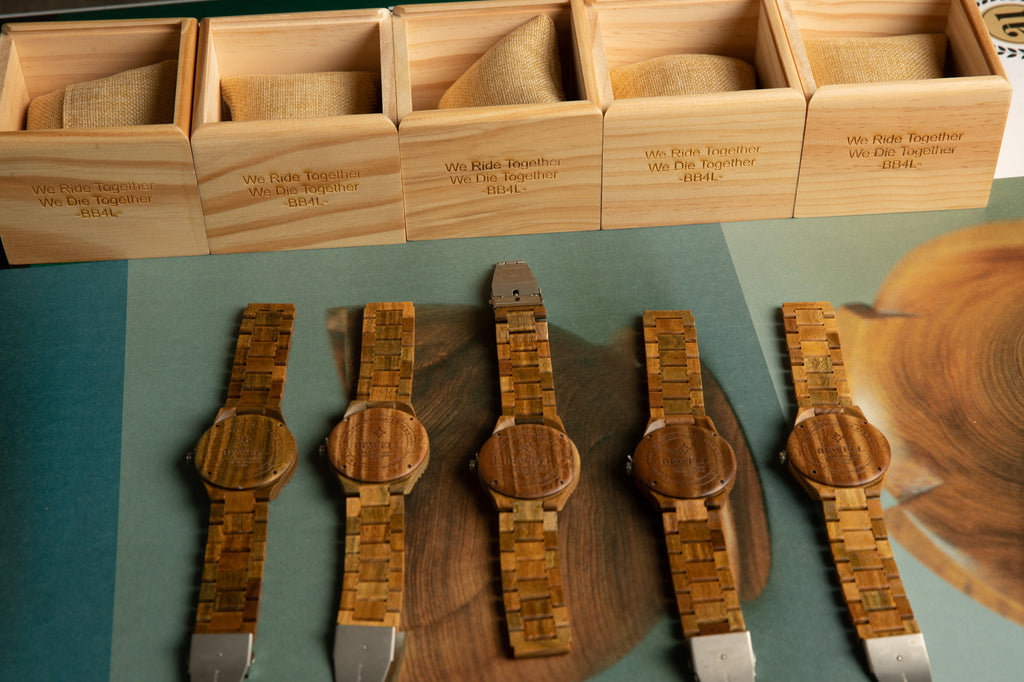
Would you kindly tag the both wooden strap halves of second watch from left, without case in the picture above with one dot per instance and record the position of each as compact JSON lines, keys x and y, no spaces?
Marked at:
{"x":375,"y":548}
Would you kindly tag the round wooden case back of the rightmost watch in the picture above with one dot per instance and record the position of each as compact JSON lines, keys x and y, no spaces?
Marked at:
{"x":841,"y":451}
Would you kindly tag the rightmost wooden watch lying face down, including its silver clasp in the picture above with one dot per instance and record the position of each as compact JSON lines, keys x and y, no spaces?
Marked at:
{"x":841,"y":460}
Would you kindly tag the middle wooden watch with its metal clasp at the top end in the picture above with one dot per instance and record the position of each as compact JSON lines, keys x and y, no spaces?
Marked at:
{"x":530,"y":467}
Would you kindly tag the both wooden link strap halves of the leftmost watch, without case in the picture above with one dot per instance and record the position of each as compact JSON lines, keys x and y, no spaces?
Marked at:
{"x":236,"y":548}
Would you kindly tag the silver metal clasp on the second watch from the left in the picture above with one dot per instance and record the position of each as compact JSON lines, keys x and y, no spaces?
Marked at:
{"x":367,"y":654}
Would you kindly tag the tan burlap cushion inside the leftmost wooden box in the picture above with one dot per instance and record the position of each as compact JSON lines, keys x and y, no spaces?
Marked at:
{"x":137,"y":98}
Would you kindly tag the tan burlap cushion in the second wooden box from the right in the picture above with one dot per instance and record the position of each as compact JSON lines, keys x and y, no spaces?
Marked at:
{"x":681,"y":74}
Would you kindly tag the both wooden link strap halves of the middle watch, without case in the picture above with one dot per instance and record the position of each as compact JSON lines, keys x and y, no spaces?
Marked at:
{"x":532,"y":584}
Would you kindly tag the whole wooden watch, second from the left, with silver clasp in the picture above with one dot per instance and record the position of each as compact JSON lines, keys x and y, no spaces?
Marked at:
{"x":378,"y":452}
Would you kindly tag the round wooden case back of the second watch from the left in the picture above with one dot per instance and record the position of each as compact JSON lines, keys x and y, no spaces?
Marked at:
{"x":378,"y":446}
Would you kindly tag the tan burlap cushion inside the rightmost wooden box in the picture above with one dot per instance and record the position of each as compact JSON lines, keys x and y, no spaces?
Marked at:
{"x":836,"y":61}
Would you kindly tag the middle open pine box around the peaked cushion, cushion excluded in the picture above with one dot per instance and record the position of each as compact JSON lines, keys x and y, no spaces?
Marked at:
{"x":492,"y":170}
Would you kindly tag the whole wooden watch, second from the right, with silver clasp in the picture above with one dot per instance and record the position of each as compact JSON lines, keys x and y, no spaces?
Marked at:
{"x":687,"y":471}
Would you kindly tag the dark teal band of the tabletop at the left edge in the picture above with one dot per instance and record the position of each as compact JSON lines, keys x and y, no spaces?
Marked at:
{"x":62,"y":347}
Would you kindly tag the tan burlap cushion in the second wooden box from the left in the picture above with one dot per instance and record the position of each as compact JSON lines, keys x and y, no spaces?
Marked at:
{"x":262,"y":98}
